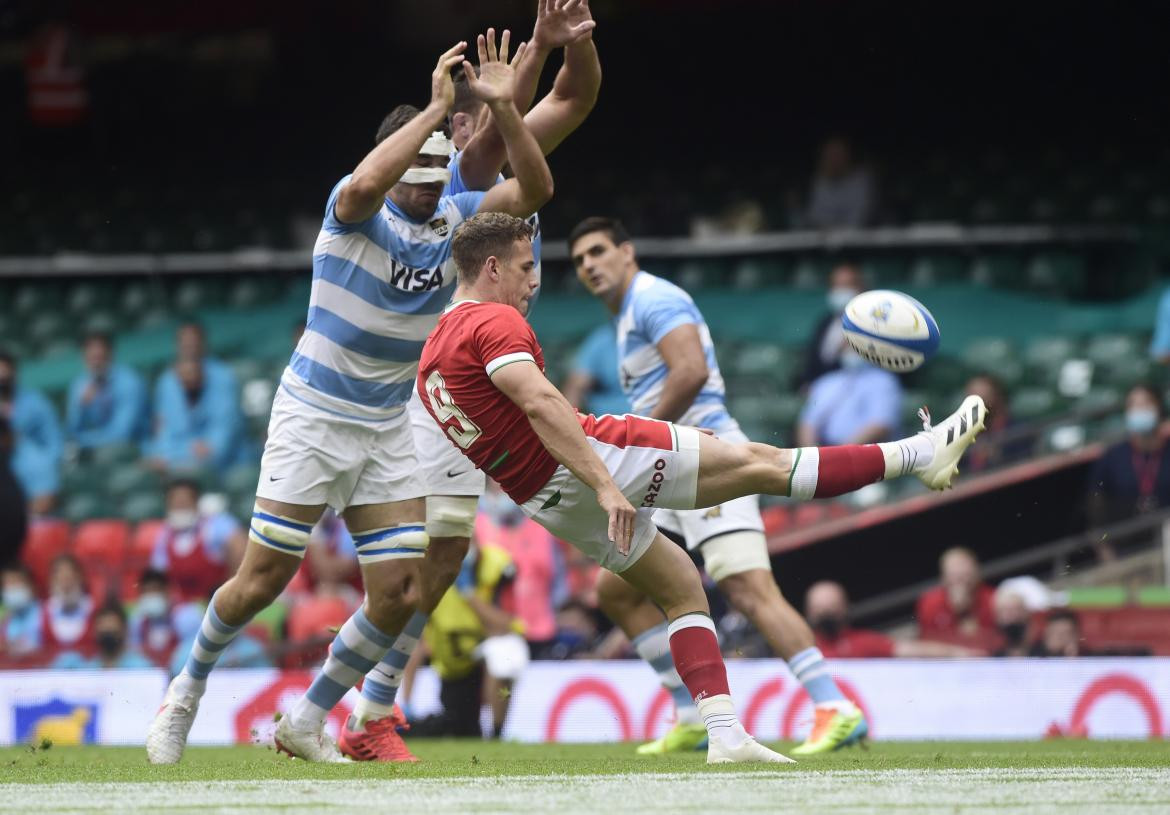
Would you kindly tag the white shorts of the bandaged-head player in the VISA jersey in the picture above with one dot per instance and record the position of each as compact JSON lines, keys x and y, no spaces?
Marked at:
{"x":318,"y":458}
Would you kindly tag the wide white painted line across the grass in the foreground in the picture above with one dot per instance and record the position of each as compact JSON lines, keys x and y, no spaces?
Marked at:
{"x":1003,"y":792}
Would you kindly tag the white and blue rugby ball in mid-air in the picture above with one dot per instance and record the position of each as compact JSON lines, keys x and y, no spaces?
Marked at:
{"x":891,"y":330}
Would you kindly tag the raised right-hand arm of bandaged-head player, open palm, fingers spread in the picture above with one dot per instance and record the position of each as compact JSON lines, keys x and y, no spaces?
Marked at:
{"x":533,"y":184}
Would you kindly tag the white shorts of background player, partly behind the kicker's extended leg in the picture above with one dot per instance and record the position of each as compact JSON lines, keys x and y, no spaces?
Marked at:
{"x":699,"y":528}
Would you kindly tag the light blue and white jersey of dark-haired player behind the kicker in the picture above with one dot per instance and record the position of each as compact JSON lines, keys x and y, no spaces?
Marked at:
{"x":652,"y":309}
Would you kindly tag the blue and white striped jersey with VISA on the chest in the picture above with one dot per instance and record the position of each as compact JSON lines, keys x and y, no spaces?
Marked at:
{"x":378,"y":288}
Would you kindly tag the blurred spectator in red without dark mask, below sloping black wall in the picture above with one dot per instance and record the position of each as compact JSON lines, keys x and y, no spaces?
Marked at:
{"x":961,"y":609}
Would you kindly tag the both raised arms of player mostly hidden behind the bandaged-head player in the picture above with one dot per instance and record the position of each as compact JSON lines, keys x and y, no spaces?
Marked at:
{"x":560,"y":24}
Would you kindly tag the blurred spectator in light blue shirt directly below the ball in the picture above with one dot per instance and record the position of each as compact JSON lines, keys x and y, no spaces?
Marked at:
{"x":858,"y":405}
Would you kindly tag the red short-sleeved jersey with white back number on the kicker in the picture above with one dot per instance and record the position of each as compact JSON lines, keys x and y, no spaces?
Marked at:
{"x":472,"y":342}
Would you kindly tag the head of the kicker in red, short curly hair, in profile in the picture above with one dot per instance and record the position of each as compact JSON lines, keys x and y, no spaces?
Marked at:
{"x":493,"y":254}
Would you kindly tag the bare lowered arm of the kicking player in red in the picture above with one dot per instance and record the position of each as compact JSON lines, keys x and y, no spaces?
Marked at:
{"x":555,"y":424}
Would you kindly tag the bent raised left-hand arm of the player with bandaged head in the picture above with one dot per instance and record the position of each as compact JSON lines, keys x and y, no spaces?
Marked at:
{"x":384,"y":165}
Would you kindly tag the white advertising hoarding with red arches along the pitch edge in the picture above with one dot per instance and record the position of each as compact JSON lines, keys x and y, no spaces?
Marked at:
{"x":622,"y":701}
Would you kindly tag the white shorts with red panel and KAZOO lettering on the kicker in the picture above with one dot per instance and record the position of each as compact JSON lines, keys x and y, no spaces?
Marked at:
{"x":656,"y":465}
